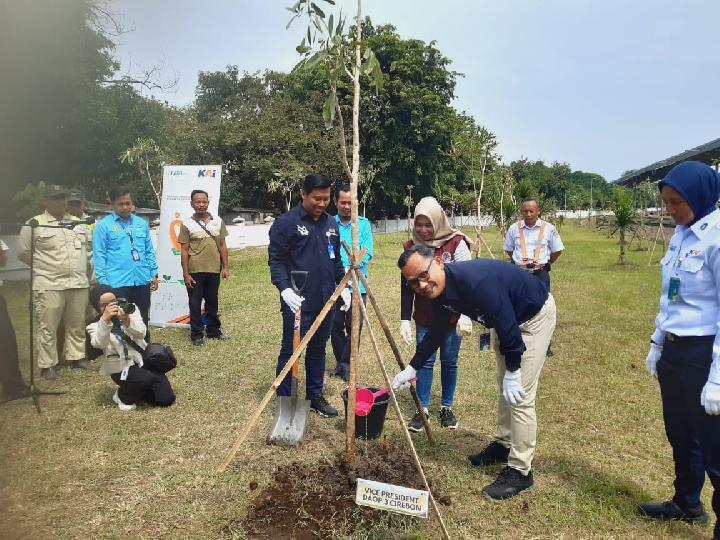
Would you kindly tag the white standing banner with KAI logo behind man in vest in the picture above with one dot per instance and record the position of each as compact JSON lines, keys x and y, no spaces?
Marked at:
{"x":169,"y":305}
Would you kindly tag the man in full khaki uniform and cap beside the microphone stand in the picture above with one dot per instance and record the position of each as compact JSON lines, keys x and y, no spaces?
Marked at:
{"x":60,"y":284}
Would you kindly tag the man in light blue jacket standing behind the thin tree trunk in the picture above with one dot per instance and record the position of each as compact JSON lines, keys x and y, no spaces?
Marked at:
{"x":342,"y":324}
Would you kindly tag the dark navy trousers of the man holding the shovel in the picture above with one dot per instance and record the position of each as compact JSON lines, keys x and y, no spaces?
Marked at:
{"x":314,"y":354}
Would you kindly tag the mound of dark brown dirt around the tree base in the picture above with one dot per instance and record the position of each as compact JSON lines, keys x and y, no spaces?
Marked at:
{"x":308,"y":501}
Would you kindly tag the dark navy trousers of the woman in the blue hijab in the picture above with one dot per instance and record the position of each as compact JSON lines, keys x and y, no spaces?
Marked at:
{"x":693,"y":434}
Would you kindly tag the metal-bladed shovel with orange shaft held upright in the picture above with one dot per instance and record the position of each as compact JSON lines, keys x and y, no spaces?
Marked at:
{"x":291,"y":414}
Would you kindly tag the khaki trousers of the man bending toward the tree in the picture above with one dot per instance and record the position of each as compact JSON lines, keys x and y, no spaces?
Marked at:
{"x":517,"y":424}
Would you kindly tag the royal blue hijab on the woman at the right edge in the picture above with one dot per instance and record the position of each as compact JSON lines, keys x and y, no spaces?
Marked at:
{"x":697,"y":183}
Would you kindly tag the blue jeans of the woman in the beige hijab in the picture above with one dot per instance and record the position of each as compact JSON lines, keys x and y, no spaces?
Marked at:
{"x":449,"y":350}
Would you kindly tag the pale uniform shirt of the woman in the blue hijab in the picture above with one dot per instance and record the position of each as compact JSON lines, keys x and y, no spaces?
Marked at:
{"x":693,"y":257}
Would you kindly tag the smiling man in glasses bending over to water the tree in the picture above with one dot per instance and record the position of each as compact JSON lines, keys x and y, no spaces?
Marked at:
{"x":522,"y":312}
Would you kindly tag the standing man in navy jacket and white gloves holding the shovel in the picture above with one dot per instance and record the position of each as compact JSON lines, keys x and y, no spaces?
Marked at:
{"x":306,"y":238}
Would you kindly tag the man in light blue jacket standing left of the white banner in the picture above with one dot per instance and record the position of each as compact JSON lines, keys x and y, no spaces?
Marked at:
{"x":123,"y":253}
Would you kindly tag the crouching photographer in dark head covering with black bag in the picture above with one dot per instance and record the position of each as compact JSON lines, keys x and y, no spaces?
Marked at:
{"x":136,"y":367}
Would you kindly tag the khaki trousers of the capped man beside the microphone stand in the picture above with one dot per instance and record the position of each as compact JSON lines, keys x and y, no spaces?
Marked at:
{"x":52,"y":307}
